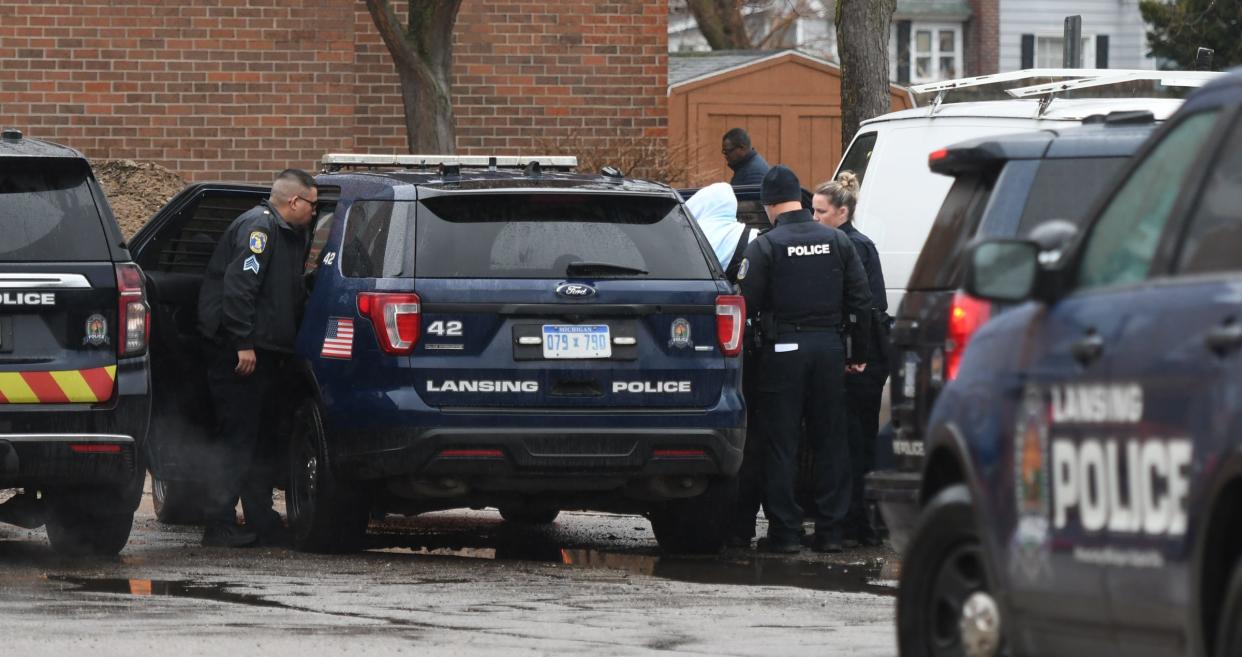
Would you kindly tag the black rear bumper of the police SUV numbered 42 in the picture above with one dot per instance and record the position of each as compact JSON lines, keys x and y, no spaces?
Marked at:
{"x":552,"y":454}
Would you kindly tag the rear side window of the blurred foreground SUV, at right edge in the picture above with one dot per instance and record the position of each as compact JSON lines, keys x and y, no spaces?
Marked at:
{"x":1214,"y":239}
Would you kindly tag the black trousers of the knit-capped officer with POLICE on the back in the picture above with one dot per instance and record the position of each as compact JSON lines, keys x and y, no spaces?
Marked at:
{"x":807,"y":382}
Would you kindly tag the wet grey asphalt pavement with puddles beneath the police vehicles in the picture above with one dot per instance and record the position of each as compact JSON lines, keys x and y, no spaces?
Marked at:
{"x":446,"y":584}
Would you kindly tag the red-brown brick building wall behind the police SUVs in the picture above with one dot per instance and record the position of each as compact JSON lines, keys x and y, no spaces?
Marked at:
{"x":240,"y":89}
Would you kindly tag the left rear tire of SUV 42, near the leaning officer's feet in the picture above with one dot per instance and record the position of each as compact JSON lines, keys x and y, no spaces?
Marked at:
{"x":326,"y":515}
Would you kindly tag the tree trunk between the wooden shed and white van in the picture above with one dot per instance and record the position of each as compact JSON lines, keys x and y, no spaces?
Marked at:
{"x":863,"y":43}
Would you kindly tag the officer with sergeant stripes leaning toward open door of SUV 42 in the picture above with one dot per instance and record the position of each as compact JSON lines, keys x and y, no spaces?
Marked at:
{"x":249,"y":311}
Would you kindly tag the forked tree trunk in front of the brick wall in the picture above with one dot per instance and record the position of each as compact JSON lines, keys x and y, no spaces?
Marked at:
{"x":424,"y":59}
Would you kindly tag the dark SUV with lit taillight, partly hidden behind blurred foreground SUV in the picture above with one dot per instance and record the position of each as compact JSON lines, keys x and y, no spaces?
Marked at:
{"x":1004,"y":188}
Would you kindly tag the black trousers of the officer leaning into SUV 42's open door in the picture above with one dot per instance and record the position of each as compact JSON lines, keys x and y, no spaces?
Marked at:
{"x":243,"y":460}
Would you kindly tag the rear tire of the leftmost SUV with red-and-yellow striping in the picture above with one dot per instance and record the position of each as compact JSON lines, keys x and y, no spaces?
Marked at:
{"x":84,"y":525}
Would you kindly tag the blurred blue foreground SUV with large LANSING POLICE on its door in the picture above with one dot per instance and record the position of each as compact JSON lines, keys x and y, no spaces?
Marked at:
{"x":1085,"y":469}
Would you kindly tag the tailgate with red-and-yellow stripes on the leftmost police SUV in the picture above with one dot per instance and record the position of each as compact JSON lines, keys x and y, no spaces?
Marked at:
{"x":59,"y":300}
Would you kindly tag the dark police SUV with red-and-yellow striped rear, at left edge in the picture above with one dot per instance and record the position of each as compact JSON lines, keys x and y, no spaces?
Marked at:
{"x":75,"y":384}
